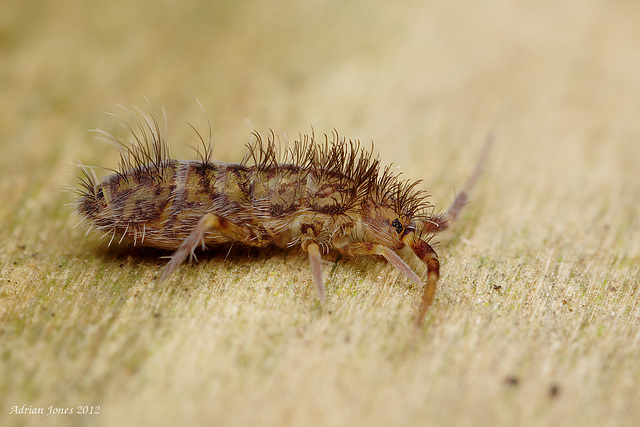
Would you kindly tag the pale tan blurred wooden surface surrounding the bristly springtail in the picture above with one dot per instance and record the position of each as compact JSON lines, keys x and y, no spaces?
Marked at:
{"x":536,"y":320}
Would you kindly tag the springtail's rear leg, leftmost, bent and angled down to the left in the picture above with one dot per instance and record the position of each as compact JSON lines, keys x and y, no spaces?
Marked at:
{"x":208,"y":222}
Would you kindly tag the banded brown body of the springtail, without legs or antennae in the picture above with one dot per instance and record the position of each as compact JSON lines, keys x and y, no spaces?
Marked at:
{"x":160,"y":210}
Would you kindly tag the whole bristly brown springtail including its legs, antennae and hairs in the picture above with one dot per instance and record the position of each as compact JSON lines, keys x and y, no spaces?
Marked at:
{"x":319,"y":196}
